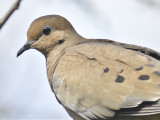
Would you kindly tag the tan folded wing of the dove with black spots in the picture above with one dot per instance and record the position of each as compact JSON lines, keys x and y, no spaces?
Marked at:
{"x":100,"y":80}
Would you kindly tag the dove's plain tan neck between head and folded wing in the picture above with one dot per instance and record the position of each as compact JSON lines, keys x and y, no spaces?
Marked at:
{"x":53,"y":57}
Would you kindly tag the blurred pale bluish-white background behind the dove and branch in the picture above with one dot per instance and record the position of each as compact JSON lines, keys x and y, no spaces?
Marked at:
{"x":24,"y":89}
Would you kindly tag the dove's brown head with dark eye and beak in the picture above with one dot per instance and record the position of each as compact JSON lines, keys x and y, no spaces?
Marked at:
{"x":48,"y":32}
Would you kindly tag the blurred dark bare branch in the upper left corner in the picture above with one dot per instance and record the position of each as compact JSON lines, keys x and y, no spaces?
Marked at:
{"x":9,"y":13}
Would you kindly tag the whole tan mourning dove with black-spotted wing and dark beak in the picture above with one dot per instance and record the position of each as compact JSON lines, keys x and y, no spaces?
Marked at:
{"x":97,"y":79}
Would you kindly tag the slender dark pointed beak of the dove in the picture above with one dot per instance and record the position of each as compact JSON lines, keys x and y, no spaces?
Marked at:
{"x":25,"y":47}
